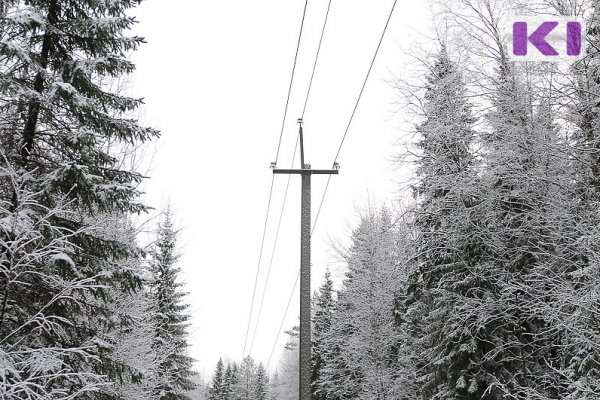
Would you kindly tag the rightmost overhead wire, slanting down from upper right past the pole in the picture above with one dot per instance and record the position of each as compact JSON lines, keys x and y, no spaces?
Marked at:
{"x":334,"y":164}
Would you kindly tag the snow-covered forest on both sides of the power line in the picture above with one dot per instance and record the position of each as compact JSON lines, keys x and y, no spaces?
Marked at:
{"x":481,"y":282}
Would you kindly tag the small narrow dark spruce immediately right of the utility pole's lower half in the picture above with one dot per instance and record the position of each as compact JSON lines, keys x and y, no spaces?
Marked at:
{"x":323,"y":305}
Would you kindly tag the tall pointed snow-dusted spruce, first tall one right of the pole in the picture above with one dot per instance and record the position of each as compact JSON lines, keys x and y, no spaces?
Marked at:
{"x":446,"y":249}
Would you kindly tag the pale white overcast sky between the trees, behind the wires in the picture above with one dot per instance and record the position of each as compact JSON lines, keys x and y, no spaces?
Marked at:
{"x":215,"y":76}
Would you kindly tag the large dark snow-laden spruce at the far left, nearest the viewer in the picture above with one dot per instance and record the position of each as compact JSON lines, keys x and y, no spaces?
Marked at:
{"x":58,"y":120}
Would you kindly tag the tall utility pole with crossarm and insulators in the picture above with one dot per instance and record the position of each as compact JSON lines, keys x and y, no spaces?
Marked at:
{"x":305,"y":172}
